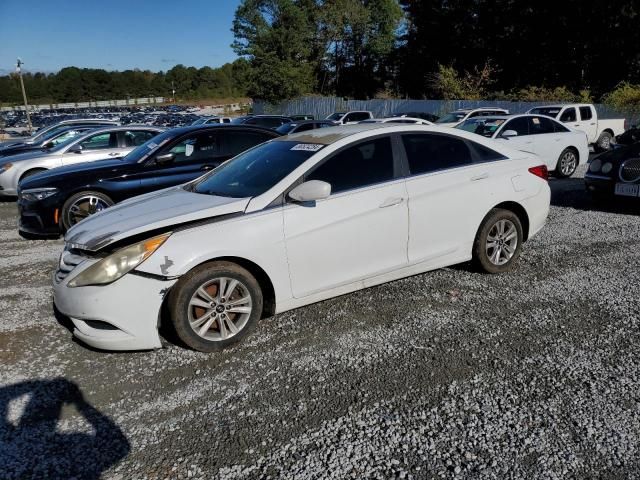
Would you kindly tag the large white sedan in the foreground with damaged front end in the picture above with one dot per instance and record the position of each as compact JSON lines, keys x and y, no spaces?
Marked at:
{"x":293,"y":221}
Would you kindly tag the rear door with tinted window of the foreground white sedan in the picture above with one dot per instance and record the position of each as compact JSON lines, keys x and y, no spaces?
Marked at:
{"x":449,"y":194}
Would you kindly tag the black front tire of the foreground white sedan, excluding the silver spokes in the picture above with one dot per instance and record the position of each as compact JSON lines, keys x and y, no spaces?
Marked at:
{"x":182,"y":311}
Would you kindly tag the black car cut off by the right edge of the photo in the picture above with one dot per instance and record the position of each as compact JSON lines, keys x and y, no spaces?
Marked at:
{"x":615,"y":173}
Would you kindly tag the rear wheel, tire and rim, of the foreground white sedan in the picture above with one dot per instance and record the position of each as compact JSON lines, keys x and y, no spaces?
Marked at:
{"x":498,"y":242}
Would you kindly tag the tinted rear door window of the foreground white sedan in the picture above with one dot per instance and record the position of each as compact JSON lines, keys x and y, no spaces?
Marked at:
{"x":430,"y":153}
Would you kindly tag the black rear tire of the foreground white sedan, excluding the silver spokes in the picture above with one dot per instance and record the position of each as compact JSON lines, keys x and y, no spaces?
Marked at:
{"x":481,"y":259}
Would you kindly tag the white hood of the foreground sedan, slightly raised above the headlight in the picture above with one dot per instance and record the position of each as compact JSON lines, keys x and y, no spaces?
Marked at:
{"x":156,"y":210}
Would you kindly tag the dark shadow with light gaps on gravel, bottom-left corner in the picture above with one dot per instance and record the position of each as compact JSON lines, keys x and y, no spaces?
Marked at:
{"x":34,"y":443}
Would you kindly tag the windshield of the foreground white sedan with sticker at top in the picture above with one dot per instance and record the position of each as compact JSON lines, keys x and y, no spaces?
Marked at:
{"x":255,"y":171}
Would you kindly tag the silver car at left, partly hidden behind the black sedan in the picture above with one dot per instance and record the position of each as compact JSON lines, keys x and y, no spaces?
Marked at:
{"x":98,"y":144}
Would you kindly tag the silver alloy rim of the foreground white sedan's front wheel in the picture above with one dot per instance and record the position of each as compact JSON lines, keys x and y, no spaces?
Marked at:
{"x":219,"y":309}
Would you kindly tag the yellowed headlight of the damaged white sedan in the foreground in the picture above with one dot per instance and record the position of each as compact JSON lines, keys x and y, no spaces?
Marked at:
{"x":116,"y":265}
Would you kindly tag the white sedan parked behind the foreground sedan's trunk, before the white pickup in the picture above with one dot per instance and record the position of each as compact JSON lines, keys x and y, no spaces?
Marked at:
{"x":561,"y":149}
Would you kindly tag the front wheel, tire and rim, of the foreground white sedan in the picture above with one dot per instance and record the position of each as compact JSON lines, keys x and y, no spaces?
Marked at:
{"x":215,"y":305}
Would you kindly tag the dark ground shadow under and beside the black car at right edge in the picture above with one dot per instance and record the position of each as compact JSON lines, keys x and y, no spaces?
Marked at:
{"x":571,"y":192}
